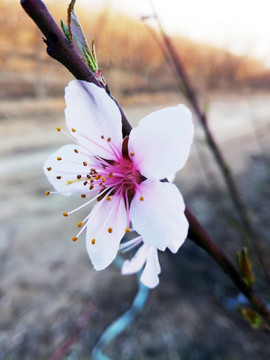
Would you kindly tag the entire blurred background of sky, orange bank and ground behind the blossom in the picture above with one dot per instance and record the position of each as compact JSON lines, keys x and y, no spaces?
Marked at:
{"x":47,"y":281}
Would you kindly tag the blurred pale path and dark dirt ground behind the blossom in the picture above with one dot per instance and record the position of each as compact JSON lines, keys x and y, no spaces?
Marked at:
{"x":47,"y":281}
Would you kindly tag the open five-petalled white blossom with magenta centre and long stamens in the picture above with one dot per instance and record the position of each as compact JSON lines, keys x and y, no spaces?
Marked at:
{"x":122,"y":176}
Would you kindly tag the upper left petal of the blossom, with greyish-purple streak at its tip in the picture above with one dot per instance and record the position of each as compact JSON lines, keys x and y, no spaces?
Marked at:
{"x":92,"y":113}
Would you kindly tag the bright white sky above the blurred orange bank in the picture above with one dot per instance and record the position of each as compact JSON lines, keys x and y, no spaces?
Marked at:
{"x":241,"y":26}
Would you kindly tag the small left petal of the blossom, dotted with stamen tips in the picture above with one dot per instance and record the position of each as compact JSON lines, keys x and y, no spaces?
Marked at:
{"x":70,"y":165}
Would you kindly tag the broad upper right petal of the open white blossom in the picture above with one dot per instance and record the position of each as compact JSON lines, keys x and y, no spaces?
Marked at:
{"x":161,"y":142}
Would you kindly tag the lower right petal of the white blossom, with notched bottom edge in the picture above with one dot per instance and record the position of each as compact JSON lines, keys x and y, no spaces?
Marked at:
{"x":159,"y":218}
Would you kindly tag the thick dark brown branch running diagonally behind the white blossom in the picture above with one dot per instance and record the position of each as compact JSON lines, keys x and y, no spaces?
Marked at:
{"x":40,"y":15}
